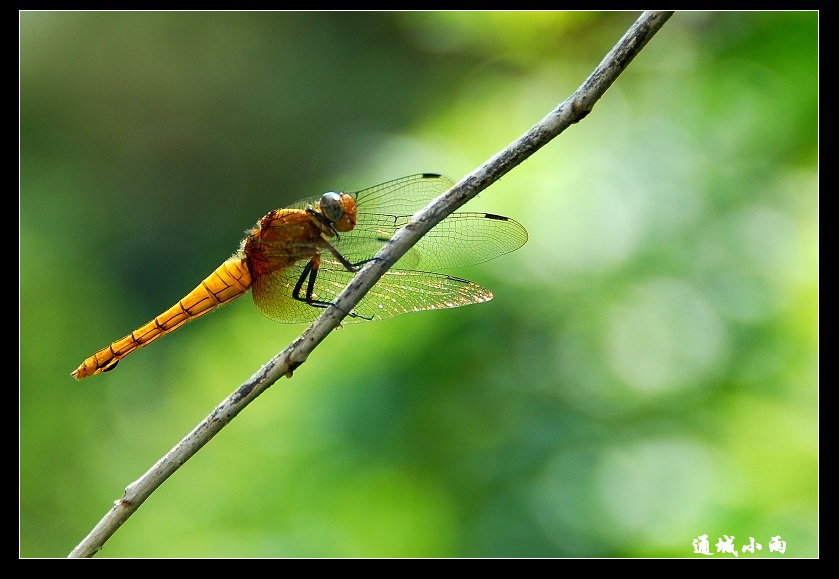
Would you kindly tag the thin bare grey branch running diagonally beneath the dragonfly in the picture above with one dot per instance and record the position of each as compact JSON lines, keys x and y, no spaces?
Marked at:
{"x":571,"y":111}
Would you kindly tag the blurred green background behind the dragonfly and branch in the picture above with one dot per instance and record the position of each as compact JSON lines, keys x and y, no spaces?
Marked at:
{"x":647,"y":372}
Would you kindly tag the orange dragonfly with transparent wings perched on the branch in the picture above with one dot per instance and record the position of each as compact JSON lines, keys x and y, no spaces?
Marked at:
{"x":297,"y":259}
